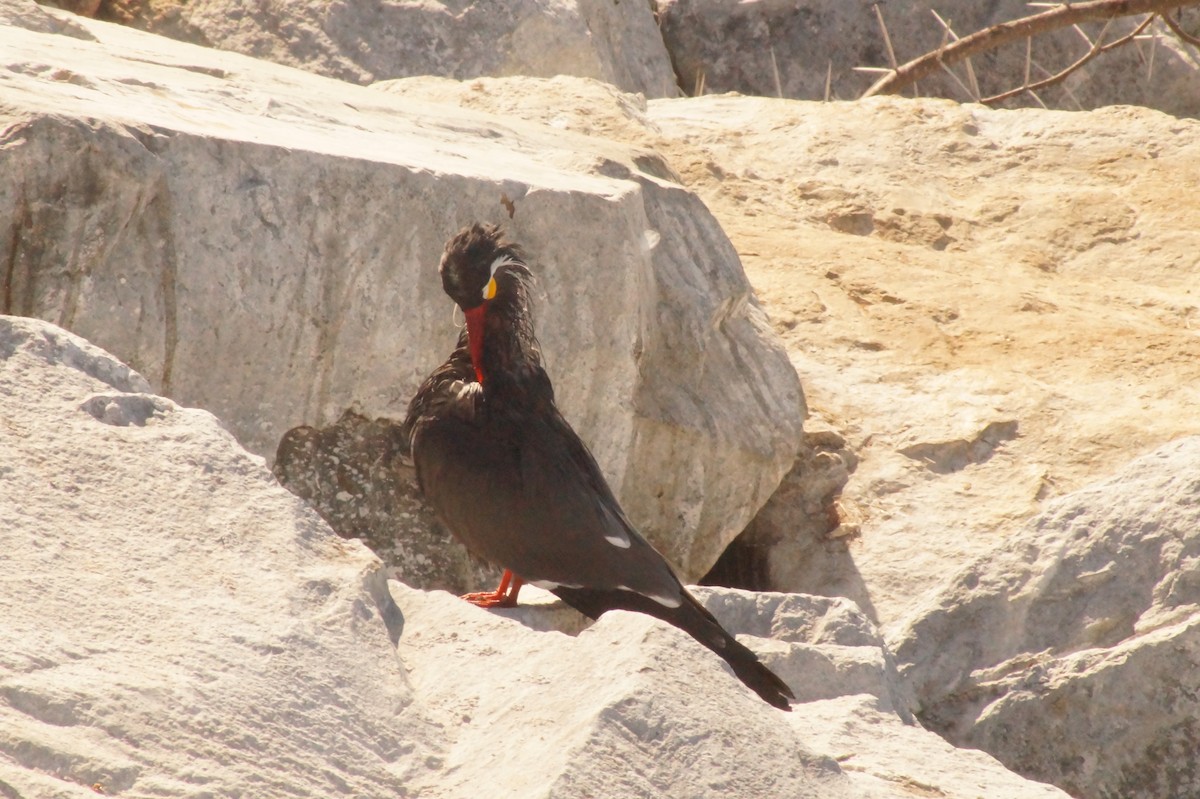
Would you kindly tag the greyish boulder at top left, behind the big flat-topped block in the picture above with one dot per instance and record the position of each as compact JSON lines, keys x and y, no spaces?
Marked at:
{"x":362,"y":43}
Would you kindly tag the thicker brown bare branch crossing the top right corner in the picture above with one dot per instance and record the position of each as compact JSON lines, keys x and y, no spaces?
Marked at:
{"x":1012,"y":32}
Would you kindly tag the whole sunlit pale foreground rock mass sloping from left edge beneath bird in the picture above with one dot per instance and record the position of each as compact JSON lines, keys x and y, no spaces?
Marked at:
{"x":179,"y":626}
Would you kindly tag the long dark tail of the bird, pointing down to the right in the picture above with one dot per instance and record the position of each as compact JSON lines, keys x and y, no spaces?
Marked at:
{"x":700,"y":624}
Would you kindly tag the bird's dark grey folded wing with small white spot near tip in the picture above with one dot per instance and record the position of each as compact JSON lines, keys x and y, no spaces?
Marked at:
{"x":525,"y":494}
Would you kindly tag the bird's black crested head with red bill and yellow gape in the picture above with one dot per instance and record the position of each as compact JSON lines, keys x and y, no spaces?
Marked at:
{"x":481,"y":268}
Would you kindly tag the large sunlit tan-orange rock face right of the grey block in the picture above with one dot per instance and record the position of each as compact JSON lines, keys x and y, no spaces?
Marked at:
{"x":993,"y":308}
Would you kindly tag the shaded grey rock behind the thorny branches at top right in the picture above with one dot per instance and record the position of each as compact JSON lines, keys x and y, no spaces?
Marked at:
{"x":790,"y":50}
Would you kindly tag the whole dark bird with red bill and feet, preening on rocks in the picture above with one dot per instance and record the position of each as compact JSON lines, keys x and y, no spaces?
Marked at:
{"x":513,"y":482}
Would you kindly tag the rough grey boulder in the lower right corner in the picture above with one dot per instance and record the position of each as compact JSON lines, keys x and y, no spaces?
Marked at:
{"x":1073,"y":653}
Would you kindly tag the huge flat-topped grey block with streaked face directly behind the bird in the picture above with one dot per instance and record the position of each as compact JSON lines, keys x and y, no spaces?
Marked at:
{"x":263,"y":243}
